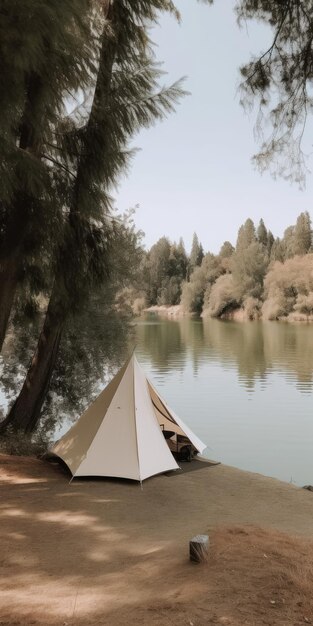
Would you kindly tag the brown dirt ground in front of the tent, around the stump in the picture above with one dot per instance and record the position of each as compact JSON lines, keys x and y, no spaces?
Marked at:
{"x":106,"y":553}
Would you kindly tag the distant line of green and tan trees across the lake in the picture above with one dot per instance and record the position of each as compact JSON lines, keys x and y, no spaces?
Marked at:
{"x":262,"y":276}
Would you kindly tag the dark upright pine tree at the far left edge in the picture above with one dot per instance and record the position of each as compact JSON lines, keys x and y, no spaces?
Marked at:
{"x":47,"y":50}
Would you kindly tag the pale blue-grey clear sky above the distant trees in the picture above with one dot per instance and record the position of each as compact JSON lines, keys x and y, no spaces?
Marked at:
{"x":193,"y":172}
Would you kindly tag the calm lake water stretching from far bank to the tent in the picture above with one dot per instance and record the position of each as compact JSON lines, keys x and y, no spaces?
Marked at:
{"x":245,"y":388}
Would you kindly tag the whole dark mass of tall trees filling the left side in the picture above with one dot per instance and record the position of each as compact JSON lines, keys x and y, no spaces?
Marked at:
{"x":63,"y":246}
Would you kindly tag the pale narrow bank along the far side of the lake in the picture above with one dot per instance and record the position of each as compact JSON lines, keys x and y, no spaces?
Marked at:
{"x":237,"y":315}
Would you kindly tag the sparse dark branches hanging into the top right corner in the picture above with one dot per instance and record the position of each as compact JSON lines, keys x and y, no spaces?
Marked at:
{"x":280,"y":79}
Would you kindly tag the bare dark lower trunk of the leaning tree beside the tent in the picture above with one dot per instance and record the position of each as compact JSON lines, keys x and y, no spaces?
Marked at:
{"x":25,"y":412}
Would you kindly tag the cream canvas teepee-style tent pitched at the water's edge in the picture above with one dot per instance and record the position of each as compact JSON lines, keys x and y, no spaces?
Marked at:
{"x":120,"y":434}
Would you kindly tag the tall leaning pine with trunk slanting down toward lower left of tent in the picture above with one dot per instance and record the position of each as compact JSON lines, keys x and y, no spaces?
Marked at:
{"x":126,"y":98}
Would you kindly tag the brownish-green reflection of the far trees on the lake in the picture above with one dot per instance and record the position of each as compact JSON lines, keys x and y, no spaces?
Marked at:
{"x":255,"y":348}
